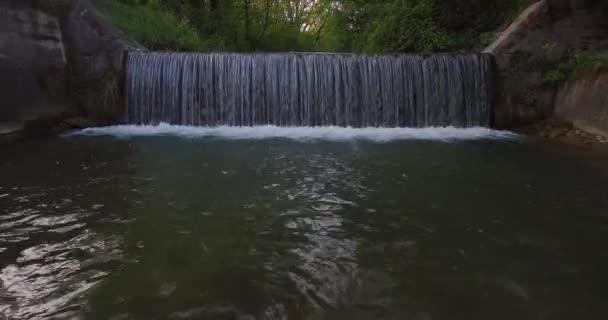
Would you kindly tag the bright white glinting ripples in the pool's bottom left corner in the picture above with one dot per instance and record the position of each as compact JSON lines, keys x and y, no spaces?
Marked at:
{"x":49,"y":279}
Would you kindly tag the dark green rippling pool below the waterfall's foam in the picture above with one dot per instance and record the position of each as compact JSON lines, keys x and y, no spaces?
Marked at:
{"x":167,"y":227}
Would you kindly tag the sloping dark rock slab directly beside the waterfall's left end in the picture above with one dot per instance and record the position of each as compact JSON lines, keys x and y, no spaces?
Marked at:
{"x":95,"y":55}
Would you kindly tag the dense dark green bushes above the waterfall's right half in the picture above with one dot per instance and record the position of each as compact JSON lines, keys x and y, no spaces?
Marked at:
{"x":419,"y":25}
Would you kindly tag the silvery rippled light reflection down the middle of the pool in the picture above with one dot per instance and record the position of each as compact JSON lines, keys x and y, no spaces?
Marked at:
{"x":327,"y":273}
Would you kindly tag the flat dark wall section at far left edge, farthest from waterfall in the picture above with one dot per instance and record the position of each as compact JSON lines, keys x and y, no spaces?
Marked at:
{"x":32,"y":67}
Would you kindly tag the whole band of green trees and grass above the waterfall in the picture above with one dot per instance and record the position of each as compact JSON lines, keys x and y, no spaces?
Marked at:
{"x":372,"y":26}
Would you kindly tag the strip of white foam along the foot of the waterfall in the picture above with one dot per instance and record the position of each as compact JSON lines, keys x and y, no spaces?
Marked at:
{"x":300,"y":133}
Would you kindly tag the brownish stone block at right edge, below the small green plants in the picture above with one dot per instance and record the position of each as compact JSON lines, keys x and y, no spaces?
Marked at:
{"x":584,"y":102}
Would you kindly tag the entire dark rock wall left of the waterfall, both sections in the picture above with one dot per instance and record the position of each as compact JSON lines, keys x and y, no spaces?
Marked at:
{"x":58,"y":60}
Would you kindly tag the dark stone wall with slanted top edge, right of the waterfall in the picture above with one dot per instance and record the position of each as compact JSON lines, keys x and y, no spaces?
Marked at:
{"x":533,"y":45}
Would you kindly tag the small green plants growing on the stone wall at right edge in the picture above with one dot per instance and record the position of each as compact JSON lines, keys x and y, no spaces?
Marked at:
{"x":579,"y":63}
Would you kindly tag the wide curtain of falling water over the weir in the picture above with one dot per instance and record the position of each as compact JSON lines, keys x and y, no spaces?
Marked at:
{"x":309,"y":89}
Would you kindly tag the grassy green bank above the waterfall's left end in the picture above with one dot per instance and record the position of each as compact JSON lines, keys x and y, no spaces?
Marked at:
{"x":151,"y":26}
